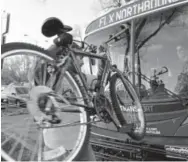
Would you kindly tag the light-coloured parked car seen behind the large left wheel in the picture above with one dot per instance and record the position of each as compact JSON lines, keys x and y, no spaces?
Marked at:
{"x":15,"y":95}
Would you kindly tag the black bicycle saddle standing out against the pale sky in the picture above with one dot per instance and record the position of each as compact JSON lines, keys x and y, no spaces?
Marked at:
{"x":53,"y":26}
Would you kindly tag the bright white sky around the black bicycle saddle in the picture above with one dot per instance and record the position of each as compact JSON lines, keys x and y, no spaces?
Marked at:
{"x":27,"y":17}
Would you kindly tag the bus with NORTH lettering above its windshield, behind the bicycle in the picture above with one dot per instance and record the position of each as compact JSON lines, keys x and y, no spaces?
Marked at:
{"x":157,"y":63}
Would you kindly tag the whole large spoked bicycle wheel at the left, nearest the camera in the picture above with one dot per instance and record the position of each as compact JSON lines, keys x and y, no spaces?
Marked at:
{"x":21,"y":139}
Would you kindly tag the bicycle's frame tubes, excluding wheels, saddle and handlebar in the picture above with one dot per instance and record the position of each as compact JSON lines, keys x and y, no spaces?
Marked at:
{"x":72,"y":60}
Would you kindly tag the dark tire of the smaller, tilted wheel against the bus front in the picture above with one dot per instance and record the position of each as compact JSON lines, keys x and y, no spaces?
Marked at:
{"x":134,"y":134}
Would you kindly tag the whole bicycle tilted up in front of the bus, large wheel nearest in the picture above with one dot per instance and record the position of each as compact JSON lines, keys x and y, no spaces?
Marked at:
{"x":59,"y":92}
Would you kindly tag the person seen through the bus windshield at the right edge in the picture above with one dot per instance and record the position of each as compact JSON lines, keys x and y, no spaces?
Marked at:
{"x":182,"y":82}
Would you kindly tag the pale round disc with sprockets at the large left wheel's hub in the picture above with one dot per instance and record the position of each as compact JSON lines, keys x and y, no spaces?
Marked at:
{"x":42,"y":105}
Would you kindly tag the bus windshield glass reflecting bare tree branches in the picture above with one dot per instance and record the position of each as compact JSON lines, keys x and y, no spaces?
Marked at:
{"x":160,"y":40}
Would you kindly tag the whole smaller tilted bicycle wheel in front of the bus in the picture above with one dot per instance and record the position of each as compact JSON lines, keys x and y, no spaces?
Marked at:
{"x":127,"y":106}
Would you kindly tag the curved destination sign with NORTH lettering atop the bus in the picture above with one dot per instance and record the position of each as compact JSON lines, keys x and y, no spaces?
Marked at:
{"x":130,"y":11}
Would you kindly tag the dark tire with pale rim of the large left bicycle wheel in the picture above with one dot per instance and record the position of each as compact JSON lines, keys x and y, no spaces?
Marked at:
{"x":6,"y":49}
